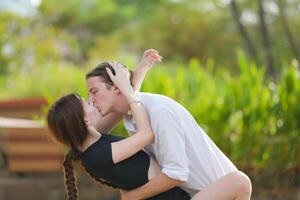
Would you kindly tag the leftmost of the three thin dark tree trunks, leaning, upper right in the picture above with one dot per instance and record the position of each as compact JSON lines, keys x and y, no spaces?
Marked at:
{"x":236,"y":15}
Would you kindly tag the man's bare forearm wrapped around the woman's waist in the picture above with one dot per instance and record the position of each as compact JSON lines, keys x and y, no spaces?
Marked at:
{"x":156,"y":185}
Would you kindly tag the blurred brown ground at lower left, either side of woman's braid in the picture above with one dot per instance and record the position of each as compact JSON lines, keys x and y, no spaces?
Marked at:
{"x":50,"y":187}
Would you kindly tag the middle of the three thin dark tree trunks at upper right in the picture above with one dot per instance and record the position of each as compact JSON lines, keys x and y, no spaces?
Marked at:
{"x":266,"y":39}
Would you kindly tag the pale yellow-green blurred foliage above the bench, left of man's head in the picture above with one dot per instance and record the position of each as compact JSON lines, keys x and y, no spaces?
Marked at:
{"x":51,"y":80}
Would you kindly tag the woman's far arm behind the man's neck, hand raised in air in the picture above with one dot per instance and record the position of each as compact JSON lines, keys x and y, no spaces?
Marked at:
{"x":150,"y":57}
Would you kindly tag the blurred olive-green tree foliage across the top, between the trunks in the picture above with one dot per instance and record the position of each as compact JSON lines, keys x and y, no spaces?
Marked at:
{"x":78,"y":30}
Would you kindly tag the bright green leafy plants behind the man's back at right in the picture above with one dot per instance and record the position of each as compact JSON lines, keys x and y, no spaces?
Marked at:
{"x":254,"y":120}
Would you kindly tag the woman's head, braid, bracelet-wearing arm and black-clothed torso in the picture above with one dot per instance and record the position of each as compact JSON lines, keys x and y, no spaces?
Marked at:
{"x":111,"y":160}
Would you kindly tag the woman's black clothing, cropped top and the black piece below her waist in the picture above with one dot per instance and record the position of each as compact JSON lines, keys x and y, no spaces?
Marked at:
{"x":128,"y":174}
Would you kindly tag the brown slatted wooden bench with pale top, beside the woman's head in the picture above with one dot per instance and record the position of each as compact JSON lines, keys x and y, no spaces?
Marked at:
{"x":27,"y":147}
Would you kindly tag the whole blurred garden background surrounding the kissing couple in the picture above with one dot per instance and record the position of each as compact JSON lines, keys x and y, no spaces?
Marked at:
{"x":234,"y":64}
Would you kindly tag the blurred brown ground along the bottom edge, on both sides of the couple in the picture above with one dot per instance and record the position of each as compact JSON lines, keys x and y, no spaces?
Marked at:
{"x":51,"y":187}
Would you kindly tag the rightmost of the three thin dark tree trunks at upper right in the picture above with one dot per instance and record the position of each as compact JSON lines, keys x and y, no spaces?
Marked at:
{"x":285,"y":26}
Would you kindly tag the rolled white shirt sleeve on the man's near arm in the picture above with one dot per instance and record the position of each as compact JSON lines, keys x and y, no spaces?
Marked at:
{"x":170,"y":138}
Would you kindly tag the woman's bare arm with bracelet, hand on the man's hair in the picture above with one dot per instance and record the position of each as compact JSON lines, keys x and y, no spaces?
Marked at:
{"x":125,"y":148}
